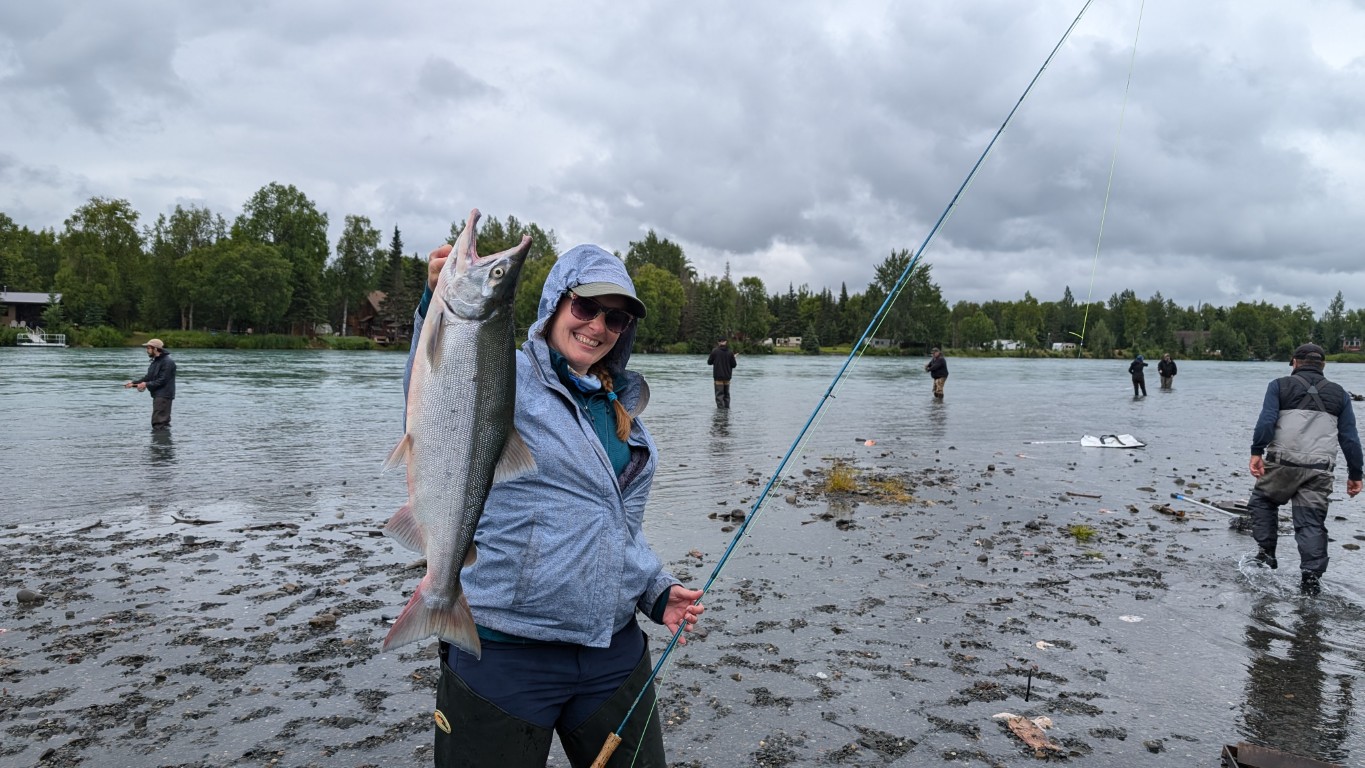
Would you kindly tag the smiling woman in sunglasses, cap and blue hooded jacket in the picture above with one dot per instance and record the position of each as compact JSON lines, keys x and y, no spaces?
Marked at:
{"x":560,"y":565}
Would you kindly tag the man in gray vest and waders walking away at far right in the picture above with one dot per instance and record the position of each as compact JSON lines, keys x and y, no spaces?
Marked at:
{"x":1304,"y":421}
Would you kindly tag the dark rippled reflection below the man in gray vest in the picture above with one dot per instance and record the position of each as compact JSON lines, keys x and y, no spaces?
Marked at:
{"x":1299,"y":698}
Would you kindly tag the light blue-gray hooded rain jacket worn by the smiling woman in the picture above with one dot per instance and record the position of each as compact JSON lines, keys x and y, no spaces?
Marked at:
{"x":562,"y":552}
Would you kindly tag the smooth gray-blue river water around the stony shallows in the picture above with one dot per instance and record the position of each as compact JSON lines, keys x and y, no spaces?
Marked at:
{"x":286,"y":436}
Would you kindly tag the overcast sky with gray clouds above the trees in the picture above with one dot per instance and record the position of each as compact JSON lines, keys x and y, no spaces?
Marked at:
{"x":1213,"y":152}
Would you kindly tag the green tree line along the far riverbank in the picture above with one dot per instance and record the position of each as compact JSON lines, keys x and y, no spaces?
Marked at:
{"x":274,"y":271}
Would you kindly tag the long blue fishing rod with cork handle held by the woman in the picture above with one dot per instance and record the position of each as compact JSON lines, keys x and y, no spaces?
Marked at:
{"x":859,"y":347}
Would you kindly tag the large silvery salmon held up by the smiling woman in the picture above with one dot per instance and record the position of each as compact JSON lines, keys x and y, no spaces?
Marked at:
{"x":459,"y":437}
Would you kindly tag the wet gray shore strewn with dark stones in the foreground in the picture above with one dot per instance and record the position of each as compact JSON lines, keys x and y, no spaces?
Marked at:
{"x":882,"y":627}
